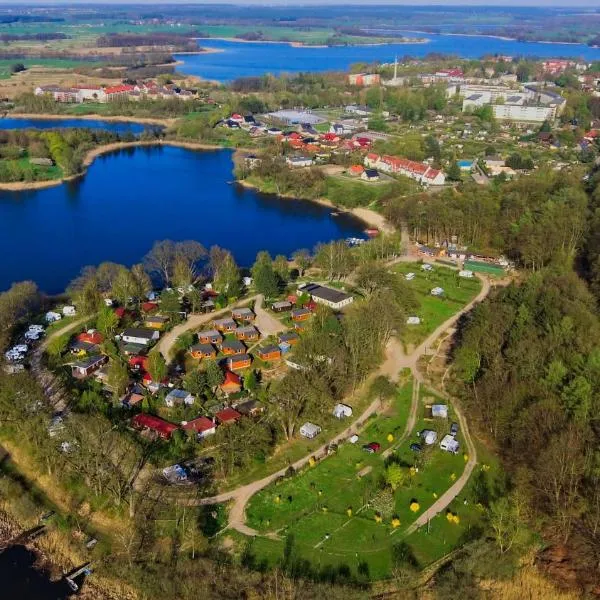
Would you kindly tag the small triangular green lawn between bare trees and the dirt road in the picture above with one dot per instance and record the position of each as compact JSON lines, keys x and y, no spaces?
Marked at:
{"x":434,"y":310}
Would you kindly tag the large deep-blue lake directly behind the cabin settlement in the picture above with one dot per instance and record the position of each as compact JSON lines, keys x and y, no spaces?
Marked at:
{"x":131,"y":198}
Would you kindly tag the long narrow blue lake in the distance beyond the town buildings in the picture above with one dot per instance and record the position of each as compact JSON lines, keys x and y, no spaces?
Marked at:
{"x":244,"y":59}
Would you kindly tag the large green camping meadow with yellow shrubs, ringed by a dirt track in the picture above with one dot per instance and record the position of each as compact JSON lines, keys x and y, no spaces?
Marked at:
{"x":328,"y":511}
